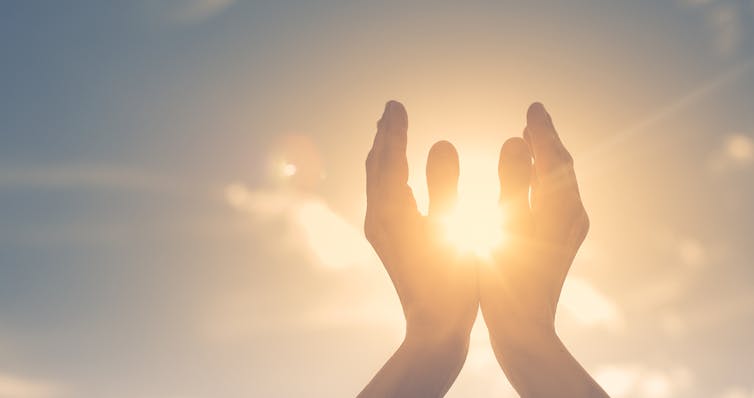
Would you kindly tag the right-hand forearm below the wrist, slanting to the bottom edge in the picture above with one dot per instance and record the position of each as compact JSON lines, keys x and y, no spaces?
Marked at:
{"x":538,"y":365}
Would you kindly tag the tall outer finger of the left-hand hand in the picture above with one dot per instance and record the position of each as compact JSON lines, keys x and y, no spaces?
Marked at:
{"x":395,"y":195}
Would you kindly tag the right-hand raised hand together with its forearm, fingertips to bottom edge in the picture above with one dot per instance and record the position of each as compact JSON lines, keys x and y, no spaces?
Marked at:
{"x":519,"y":291}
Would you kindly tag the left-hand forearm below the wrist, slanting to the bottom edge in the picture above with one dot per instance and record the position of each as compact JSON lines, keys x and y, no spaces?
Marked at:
{"x":423,"y":366}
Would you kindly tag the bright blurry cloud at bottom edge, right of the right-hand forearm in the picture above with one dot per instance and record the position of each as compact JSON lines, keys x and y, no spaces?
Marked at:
{"x":631,"y":380}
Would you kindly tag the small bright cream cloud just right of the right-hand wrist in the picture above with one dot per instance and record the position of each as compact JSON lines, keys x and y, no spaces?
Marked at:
{"x":588,"y":306}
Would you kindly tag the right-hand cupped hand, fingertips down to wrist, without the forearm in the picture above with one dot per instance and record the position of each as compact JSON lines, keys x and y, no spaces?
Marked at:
{"x":519,"y":291}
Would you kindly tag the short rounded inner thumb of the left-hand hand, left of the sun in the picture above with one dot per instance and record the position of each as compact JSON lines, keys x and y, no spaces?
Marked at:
{"x":442,"y":178}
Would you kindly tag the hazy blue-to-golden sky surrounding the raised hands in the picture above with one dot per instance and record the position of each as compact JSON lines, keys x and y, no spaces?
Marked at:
{"x":182,"y":187}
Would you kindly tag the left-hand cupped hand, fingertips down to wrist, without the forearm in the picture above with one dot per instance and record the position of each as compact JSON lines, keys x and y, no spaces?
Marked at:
{"x":436,"y":285}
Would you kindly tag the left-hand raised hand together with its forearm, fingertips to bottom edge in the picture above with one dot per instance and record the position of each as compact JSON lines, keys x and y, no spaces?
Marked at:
{"x":436,"y":286}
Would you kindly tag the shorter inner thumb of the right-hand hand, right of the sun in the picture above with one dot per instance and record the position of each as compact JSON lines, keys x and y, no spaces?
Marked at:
{"x":515,"y":173}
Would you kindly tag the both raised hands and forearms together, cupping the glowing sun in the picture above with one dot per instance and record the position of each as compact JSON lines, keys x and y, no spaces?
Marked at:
{"x":440,"y":290}
